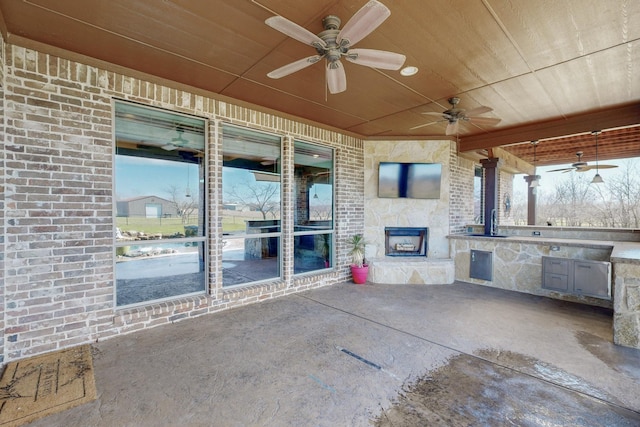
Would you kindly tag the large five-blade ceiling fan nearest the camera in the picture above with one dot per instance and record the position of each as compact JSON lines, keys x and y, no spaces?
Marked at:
{"x":332,"y":44}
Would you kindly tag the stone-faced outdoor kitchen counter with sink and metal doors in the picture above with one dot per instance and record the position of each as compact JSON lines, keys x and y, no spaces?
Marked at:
{"x":517,"y":265}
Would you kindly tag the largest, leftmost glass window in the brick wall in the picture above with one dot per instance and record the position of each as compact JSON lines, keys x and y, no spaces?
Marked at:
{"x":160,"y":217}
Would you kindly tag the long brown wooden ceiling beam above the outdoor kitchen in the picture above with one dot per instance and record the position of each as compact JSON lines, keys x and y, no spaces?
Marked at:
{"x":625,"y":115}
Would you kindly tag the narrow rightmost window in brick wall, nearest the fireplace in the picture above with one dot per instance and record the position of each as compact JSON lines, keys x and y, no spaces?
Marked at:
{"x":313,"y":214}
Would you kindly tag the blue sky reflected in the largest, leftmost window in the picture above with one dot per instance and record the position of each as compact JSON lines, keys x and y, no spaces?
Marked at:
{"x":138,"y":176}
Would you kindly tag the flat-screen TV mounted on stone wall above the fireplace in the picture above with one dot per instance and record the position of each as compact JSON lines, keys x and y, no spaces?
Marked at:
{"x":410,"y":180}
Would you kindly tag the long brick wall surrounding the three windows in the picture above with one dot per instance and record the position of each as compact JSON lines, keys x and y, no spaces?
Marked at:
{"x":58,"y":269}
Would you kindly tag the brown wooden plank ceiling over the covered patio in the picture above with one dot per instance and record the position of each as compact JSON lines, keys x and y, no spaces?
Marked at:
{"x":551,"y":70}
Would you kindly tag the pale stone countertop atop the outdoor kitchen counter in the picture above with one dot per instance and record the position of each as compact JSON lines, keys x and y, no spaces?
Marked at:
{"x":626,"y":252}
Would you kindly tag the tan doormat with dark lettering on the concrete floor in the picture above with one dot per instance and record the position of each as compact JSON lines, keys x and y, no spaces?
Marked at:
{"x":43,"y":385}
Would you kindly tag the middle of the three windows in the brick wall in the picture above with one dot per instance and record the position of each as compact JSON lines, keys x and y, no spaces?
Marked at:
{"x":251,"y":206}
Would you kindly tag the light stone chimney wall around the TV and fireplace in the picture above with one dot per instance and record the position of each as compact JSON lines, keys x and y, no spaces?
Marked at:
{"x":381,"y":212}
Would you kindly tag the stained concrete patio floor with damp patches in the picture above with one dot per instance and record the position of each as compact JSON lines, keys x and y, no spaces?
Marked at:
{"x":362,"y":355}
